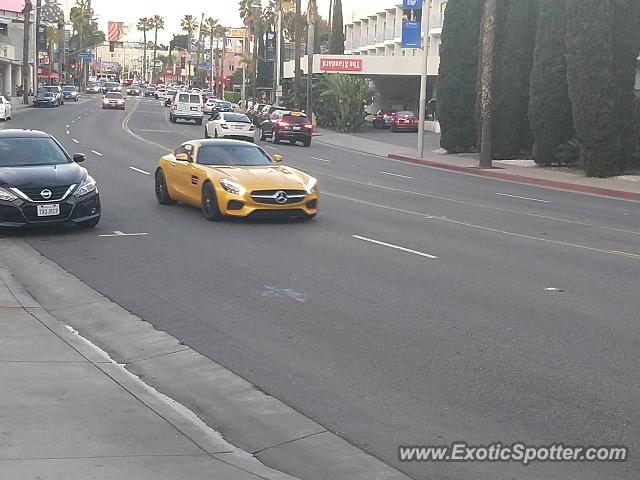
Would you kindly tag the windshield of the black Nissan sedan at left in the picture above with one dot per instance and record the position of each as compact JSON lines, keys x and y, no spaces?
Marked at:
{"x":26,"y":152}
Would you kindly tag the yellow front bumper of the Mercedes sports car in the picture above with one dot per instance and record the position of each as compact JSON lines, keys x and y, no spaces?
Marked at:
{"x":244,"y":206}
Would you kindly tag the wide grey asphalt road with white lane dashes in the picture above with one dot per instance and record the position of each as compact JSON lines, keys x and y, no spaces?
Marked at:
{"x":420,"y":307}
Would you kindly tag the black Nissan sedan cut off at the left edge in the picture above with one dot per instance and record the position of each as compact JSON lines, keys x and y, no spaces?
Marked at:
{"x":40,"y":183}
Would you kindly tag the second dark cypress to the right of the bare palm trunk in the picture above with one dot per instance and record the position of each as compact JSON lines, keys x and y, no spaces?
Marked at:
{"x":549,"y":106}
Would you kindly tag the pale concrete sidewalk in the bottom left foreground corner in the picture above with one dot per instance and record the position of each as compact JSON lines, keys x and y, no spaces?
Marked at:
{"x":69,"y":412}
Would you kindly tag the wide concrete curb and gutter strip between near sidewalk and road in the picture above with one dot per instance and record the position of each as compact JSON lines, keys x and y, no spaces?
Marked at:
{"x":272,"y":432}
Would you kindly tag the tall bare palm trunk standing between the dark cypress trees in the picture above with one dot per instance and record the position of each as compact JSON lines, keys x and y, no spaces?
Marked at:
{"x":486,"y":81}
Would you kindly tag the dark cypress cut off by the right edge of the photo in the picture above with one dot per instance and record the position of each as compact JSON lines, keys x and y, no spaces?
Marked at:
{"x":626,"y":45}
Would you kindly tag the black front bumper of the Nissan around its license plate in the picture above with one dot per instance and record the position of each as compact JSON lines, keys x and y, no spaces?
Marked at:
{"x":20,"y":213}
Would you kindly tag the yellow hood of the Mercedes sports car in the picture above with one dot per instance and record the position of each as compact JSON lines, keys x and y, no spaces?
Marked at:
{"x":264,"y":178}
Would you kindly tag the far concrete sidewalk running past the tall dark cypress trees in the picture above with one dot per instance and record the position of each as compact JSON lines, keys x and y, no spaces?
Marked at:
{"x":626,"y":188}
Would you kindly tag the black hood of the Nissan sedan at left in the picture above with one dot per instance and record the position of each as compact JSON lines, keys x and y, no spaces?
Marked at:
{"x":41,"y":176}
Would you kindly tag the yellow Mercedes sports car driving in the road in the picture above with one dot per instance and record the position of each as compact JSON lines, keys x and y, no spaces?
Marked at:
{"x":236,"y":179}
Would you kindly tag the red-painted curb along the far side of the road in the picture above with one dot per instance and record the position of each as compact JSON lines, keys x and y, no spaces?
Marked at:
{"x":522,"y":179}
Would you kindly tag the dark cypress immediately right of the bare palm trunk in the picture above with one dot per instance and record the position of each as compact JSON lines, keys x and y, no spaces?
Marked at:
{"x":515,"y":38}
